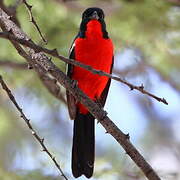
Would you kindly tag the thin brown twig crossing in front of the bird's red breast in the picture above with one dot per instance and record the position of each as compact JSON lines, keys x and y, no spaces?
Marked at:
{"x":29,"y":43}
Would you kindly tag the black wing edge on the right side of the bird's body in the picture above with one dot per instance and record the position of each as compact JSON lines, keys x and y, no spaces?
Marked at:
{"x":104,"y":94}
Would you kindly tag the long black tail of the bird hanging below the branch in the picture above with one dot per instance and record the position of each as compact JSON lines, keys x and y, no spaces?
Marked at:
{"x":83,"y":145}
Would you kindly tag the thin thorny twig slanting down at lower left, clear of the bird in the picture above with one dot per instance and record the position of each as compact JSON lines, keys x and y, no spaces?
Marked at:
{"x":27,"y":121}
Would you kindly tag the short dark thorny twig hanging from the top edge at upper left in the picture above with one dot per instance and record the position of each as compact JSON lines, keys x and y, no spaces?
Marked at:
{"x":29,"y":8}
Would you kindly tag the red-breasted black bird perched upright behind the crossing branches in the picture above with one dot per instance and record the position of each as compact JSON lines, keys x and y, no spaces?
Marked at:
{"x":92,"y":46}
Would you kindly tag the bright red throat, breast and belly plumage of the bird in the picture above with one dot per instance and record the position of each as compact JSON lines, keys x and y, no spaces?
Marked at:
{"x":97,"y":52}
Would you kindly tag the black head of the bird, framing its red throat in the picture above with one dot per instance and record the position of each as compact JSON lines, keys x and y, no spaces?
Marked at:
{"x":89,"y":14}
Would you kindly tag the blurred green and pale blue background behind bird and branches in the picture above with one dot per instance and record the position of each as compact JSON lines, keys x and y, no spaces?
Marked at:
{"x":146,"y":35}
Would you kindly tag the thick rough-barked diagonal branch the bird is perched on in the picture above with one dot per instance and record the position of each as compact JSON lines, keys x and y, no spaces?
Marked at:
{"x":43,"y":61}
